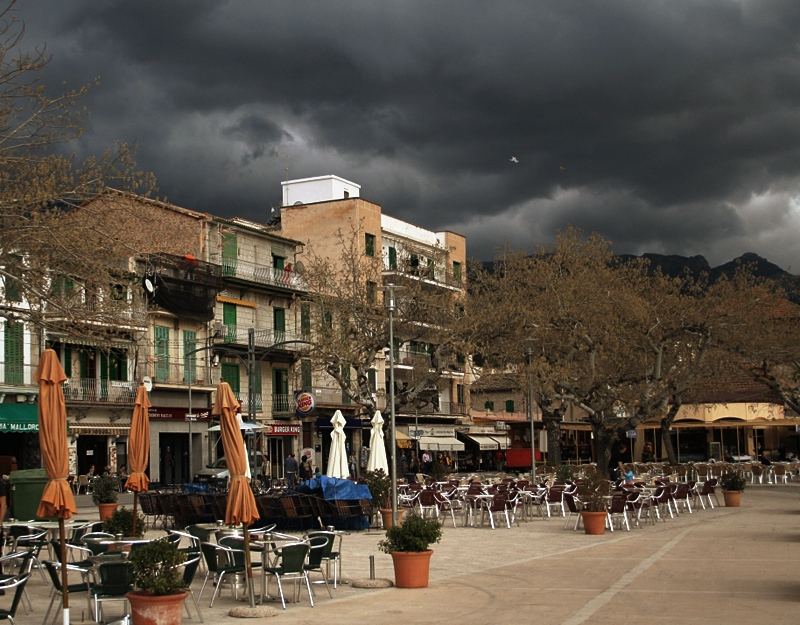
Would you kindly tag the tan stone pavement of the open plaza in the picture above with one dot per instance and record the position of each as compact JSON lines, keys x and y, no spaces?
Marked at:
{"x":727,"y":566}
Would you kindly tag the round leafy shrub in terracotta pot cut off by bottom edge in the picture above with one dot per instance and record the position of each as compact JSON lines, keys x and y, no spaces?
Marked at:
{"x":158,"y":581}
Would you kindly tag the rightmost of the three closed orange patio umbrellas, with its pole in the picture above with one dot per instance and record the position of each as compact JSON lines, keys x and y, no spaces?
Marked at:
{"x":240,"y":506}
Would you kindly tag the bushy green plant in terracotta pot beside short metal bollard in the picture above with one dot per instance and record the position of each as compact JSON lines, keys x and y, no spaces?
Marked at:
{"x":408,"y":544}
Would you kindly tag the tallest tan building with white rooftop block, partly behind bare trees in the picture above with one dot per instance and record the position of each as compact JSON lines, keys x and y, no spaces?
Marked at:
{"x":315,"y":211}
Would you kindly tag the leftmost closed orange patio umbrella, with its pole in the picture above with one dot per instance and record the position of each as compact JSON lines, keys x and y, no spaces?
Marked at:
{"x":57,"y":499}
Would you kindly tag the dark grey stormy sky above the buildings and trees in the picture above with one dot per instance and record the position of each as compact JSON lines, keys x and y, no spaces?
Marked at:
{"x":668,"y":126}
